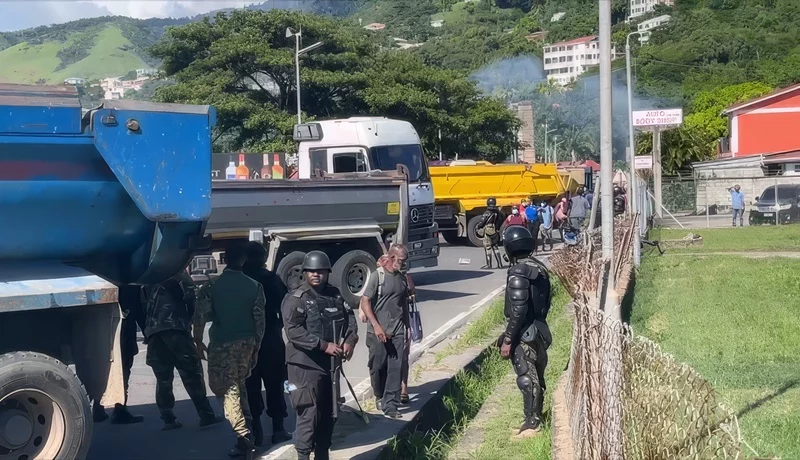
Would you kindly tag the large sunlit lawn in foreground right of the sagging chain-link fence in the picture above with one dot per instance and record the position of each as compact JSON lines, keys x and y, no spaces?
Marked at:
{"x":734,"y":320}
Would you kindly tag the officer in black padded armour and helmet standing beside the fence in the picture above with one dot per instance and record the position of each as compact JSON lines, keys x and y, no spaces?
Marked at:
{"x":527,"y":335}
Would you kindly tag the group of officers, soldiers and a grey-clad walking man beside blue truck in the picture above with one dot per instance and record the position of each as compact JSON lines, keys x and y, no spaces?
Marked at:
{"x":250,"y":309}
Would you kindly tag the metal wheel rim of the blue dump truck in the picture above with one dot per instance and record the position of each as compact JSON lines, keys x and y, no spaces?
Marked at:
{"x":32,"y":426}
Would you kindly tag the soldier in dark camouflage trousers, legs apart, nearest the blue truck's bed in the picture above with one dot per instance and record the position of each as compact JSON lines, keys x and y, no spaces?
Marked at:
{"x":168,"y":317}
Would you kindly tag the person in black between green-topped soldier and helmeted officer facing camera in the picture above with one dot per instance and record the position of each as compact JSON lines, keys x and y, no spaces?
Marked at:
{"x":271,"y":366}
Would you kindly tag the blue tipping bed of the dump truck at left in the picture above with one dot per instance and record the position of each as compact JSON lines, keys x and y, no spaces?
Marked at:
{"x":122,"y":191}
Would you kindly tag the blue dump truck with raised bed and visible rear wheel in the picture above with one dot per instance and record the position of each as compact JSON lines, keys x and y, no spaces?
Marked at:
{"x":89,"y":200}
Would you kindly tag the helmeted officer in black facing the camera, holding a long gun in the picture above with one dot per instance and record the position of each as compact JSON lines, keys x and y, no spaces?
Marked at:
{"x":318,"y":325}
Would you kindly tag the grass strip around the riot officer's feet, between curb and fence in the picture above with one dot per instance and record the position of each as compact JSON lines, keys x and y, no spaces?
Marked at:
{"x":463,"y":397}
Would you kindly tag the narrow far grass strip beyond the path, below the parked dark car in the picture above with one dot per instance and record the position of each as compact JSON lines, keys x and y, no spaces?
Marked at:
{"x":761,"y":238}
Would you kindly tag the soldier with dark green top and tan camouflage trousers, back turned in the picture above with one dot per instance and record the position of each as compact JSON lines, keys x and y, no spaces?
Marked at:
{"x":234,"y":304}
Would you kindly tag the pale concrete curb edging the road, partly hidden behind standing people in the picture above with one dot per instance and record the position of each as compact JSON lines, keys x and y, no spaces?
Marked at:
{"x":363,"y":390}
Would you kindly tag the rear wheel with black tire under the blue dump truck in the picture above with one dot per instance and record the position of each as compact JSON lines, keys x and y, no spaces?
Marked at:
{"x":44,"y":409}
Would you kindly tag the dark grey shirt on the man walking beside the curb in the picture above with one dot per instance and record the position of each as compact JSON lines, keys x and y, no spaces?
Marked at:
{"x":390,"y":308}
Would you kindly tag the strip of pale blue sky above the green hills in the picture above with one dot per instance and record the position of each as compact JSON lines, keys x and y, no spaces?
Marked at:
{"x":22,"y":14}
